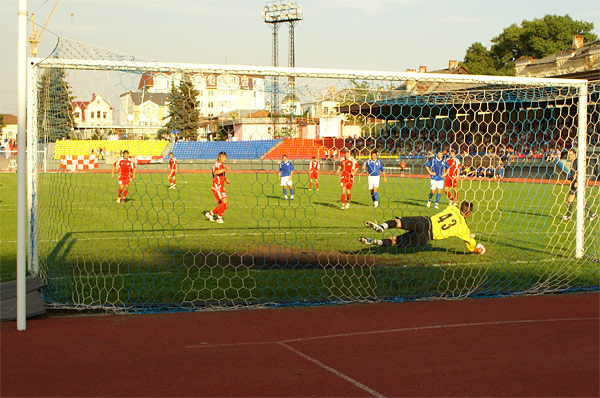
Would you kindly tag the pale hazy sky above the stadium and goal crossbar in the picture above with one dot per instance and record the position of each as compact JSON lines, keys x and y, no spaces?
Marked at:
{"x":388,"y":35}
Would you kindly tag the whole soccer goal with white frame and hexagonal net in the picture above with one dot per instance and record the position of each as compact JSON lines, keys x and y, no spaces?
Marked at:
{"x":293,"y":232}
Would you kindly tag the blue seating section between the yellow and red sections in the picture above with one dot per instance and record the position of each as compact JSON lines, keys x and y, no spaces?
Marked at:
{"x":188,"y":150}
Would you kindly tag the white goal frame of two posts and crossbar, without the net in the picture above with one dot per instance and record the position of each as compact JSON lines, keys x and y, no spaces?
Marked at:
{"x":34,"y":64}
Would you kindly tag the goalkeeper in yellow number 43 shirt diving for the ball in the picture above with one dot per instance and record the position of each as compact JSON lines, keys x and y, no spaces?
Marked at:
{"x":420,"y":229}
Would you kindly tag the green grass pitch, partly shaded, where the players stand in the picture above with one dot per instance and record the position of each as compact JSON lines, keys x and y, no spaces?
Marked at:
{"x":159,"y":248}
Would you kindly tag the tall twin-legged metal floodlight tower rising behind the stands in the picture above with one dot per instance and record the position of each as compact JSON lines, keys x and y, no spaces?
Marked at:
{"x":275,"y":13}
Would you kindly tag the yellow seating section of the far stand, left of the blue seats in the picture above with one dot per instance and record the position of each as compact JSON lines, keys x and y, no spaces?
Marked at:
{"x":112,"y":147}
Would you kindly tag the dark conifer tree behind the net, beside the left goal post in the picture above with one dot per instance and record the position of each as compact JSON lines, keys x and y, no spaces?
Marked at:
{"x":55,"y":109}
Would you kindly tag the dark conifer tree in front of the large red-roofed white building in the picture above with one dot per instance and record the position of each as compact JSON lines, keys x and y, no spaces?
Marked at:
{"x":184,"y":111}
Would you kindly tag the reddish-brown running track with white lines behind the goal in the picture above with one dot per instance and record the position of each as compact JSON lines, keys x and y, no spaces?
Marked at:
{"x":521,"y":346}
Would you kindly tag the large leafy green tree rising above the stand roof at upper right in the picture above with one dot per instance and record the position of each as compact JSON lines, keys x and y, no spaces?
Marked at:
{"x":538,"y":38}
